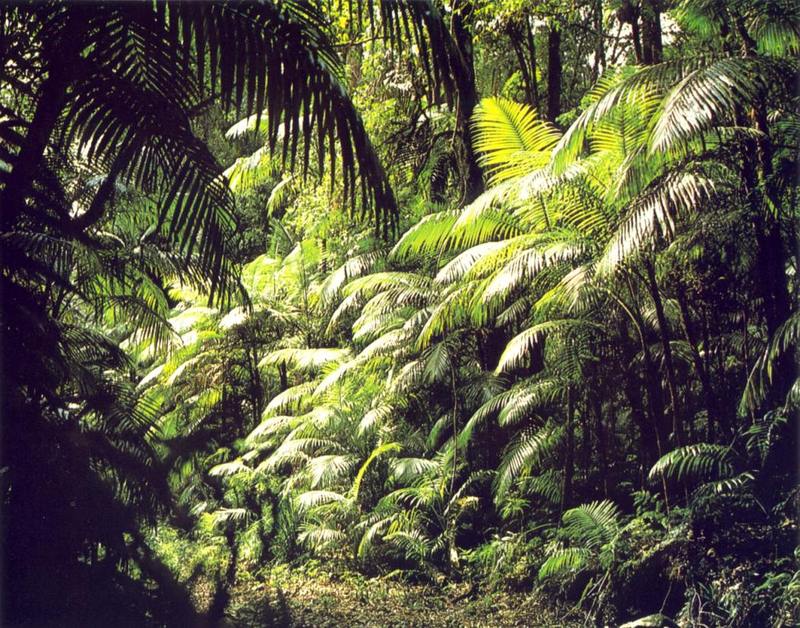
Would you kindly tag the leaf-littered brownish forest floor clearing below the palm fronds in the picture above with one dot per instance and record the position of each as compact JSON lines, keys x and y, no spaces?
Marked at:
{"x":318,"y":598}
